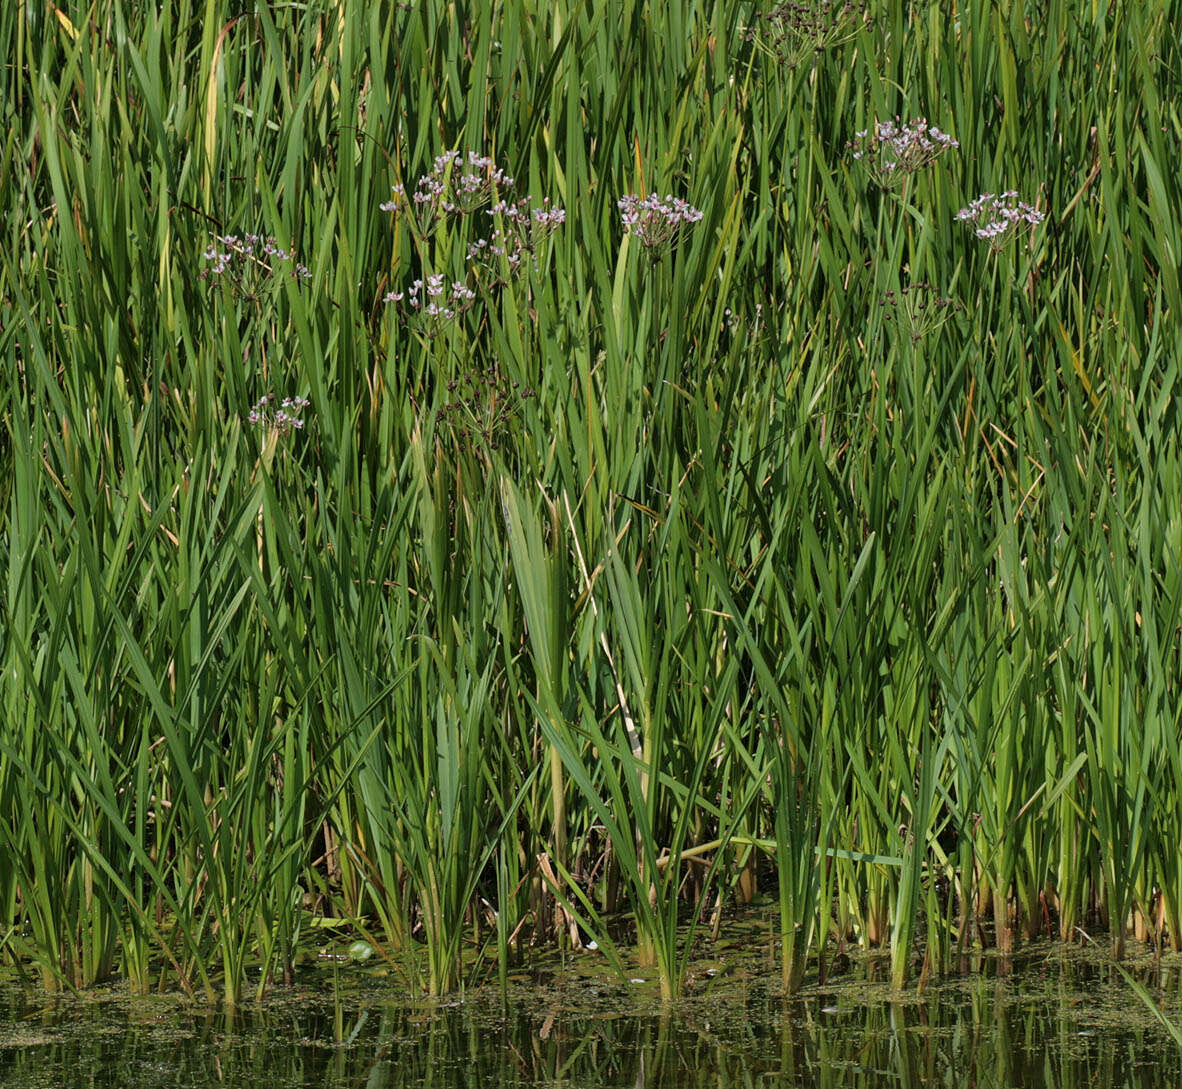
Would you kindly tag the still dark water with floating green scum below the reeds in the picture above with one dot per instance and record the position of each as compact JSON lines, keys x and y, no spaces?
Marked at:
{"x":1054,"y":1020}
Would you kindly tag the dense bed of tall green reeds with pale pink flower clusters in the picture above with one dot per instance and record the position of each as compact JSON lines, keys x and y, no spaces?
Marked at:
{"x":485,"y":565}
